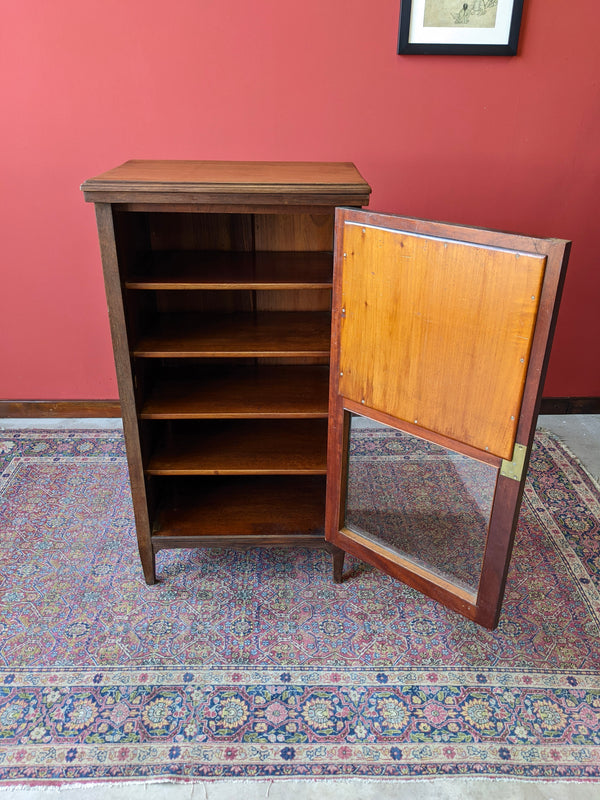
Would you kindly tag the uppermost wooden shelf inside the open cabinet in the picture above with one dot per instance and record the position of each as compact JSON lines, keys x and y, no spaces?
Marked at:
{"x":191,"y":269}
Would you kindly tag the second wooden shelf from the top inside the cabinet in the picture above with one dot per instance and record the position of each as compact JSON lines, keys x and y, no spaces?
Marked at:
{"x":269,"y":333}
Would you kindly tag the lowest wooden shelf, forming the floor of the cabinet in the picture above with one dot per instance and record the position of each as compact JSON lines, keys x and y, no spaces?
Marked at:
{"x":260,"y":510}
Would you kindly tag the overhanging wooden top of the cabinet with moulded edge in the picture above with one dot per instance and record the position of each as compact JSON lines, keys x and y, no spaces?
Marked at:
{"x":189,"y":177}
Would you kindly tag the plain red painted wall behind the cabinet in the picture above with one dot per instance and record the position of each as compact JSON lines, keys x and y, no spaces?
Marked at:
{"x":510,"y":143}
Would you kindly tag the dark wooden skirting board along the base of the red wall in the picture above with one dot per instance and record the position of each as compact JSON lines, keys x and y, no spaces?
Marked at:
{"x":112,"y":408}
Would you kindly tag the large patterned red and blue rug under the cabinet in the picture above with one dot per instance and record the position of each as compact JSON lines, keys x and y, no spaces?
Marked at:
{"x":255,"y":664}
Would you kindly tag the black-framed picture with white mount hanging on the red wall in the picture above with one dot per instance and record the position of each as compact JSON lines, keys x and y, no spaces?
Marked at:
{"x":460,"y":27}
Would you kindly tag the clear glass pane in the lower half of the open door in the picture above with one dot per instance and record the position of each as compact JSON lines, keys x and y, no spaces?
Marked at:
{"x":424,"y":502}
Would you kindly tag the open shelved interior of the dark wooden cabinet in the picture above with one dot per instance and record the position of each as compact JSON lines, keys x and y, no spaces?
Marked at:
{"x":228,"y":324}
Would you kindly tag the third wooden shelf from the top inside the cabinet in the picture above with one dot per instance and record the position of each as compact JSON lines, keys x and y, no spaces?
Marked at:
{"x":252,"y":392}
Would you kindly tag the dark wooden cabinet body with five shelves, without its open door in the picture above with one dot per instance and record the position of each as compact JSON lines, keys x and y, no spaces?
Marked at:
{"x":218,"y":278}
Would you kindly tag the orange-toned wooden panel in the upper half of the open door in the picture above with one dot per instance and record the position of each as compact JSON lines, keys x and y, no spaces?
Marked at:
{"x":444,"y":315}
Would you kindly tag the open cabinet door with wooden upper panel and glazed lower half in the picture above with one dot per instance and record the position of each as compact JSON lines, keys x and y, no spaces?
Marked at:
{"x":441,"y":338}
